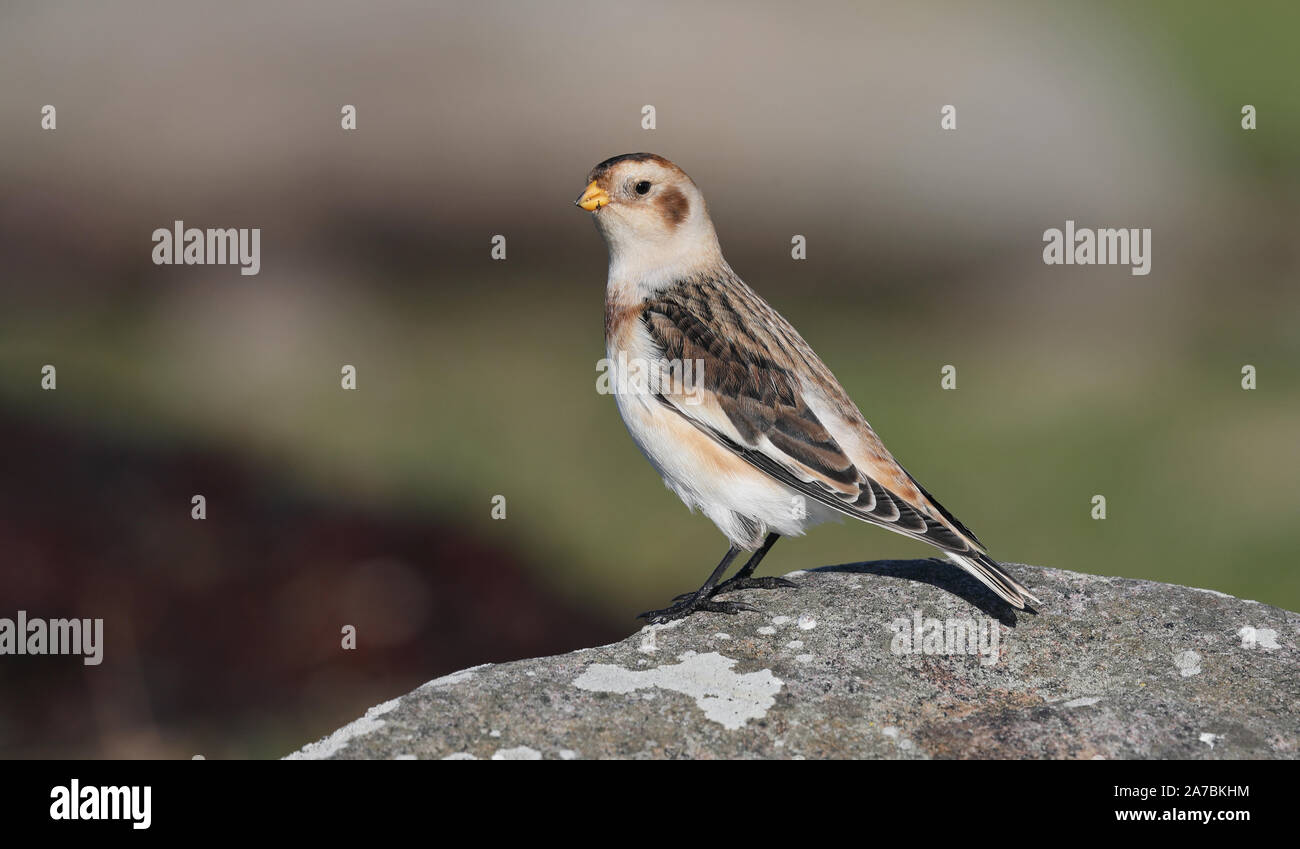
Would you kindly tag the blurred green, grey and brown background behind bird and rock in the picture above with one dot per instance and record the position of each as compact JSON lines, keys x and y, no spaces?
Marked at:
{"x":478,"y":378}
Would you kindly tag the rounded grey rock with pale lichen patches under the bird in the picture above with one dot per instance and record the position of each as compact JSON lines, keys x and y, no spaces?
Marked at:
{"x":847,"y":666}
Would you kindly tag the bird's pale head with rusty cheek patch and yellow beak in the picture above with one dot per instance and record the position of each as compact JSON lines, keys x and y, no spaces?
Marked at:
{"x":652,"y":215}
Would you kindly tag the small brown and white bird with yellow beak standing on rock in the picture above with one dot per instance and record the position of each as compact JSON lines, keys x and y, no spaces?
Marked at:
{"x":760,"y":436}
